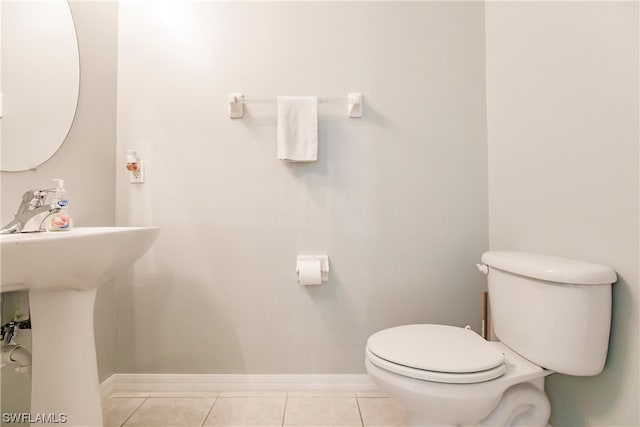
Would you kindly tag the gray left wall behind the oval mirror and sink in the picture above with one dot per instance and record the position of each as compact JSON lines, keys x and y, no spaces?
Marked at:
{"x":86,"y":159}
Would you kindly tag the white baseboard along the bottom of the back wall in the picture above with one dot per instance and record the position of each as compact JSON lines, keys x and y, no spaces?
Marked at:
{"x":232,"y":382}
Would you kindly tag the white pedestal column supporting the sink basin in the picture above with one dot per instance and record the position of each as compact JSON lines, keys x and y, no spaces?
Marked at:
{"x":64,"y":370}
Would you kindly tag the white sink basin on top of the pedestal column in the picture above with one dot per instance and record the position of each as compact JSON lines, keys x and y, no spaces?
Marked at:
{"x":82,"y":258}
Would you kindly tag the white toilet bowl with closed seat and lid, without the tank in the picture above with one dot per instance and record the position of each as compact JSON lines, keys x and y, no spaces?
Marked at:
{"x":436,"y":398}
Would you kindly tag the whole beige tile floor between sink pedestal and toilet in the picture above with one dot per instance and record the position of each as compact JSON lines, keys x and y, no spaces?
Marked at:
{"x":264,"y":409}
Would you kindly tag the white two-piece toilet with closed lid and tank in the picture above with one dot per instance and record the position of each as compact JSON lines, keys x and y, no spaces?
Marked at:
{"x":550,"y":314}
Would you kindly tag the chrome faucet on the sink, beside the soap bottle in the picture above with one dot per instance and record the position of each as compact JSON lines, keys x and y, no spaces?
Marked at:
{"x":31,"y":213}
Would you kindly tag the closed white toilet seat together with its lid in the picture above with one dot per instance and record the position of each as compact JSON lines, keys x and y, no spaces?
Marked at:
{"x":437,"y":353}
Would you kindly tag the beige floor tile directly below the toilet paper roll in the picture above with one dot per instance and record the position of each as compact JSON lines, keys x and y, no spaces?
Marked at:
{"x":322,"y":411}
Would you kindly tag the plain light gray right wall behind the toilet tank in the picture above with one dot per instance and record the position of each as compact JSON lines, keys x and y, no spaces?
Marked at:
{"x":562,"y":104}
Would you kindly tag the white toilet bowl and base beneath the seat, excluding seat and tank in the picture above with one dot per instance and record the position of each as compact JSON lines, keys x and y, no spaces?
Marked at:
{"x":515,"y":399}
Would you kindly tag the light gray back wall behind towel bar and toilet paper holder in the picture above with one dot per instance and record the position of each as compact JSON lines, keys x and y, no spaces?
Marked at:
{"x":398,"y":198}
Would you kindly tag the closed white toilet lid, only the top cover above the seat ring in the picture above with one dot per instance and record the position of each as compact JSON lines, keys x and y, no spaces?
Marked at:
{"x":437,"y":348}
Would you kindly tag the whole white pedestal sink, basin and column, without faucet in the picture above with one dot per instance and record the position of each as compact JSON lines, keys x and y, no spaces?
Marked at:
{"x":62,"y":271}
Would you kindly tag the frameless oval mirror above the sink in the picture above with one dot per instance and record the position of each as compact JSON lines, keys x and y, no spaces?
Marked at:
{"x":39,"y":80}
